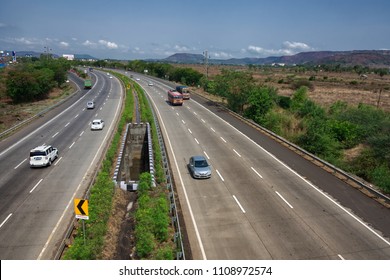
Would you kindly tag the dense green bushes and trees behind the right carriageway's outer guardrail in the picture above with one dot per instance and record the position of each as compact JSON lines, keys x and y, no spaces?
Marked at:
{"x":330,"y":133}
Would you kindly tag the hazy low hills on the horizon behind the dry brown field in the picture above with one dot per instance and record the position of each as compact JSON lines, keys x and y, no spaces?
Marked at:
{"x":372,"y":58}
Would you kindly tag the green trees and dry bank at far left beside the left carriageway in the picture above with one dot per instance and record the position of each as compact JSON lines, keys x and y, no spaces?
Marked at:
{"x":30,"y":87}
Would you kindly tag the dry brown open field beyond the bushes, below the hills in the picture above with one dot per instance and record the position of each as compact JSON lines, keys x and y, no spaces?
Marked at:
{"x":328,"y":87}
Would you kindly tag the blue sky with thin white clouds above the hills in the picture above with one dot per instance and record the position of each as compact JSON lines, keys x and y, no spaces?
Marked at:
{"x":140,"y":29}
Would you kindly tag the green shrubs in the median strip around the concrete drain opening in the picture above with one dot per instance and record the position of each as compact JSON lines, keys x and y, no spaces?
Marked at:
{"x":153,"y":231}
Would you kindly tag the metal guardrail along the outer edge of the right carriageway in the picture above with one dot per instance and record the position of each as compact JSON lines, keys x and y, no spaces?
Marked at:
{"x":341,"y":174}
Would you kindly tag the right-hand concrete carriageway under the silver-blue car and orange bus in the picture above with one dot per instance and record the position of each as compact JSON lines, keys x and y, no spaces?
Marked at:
{"x":262,"y":202}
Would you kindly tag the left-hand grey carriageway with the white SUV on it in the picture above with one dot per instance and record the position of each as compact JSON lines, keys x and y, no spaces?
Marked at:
{"x":36,"y":204}
